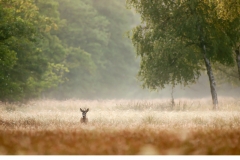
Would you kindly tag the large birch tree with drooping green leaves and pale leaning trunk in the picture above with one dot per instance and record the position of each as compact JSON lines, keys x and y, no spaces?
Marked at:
{"x":189,"y":33}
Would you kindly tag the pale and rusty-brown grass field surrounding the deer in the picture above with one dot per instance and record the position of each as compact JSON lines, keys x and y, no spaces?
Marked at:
{"x":121,"y":127}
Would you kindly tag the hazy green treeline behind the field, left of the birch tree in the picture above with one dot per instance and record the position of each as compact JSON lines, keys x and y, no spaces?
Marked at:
{"x":65,"y":49}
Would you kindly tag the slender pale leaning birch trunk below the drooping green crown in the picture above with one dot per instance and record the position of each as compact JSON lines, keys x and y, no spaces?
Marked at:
{"x":211,"y":80}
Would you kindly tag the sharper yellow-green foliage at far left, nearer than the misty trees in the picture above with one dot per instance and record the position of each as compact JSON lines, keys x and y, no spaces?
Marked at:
{"x":23,"y":64}
